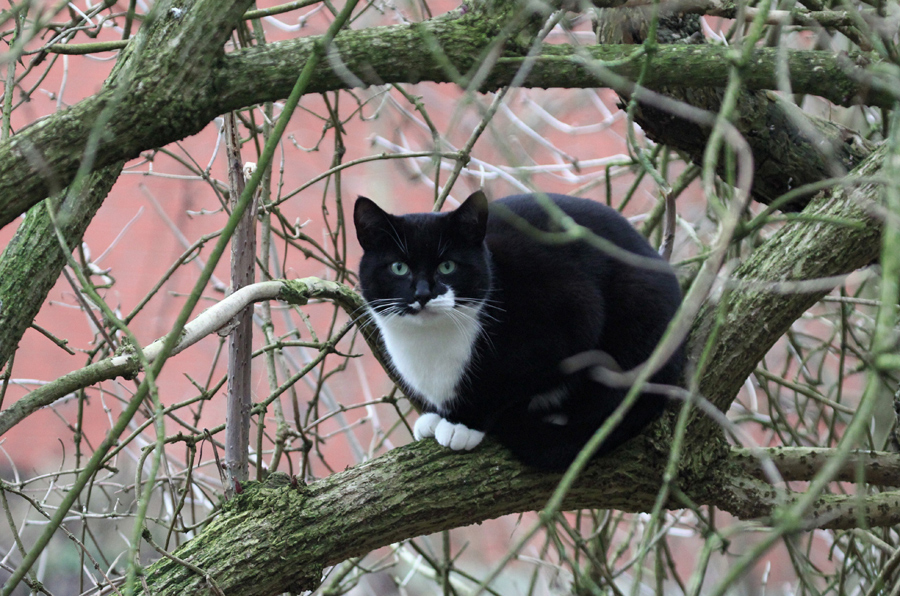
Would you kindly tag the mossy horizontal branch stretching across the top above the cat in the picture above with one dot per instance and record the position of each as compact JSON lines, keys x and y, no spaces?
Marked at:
{"x":842,"y":80}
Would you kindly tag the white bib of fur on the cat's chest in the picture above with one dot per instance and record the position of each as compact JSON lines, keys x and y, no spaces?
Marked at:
{"x":431,"y":349}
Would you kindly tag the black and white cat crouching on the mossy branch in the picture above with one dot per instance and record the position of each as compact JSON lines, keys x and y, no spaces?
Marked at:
{"x":477,"y":317}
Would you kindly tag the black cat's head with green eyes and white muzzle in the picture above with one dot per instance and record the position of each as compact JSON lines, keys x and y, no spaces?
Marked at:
{"x":423,"y":263}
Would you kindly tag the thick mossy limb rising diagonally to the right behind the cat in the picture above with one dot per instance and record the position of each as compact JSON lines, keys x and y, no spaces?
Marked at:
{"x":837,"y":233}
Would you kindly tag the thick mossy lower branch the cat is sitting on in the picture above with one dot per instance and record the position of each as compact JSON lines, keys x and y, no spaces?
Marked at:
{"x":269,"y":540}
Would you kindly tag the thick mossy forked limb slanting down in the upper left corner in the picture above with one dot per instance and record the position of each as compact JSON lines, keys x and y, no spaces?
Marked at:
{"x":47,"y":156}
